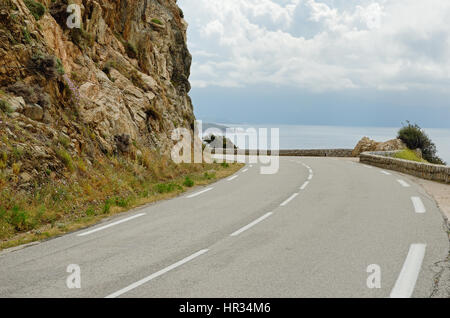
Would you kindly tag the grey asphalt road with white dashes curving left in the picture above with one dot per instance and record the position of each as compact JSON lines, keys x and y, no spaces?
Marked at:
{"x":253,"y":235}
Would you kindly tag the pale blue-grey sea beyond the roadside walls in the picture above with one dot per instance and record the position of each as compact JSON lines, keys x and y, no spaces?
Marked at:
{"x":323,"y":137}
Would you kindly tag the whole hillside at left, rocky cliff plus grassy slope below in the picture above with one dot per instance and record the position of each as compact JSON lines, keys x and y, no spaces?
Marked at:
{"x":86,"y":114}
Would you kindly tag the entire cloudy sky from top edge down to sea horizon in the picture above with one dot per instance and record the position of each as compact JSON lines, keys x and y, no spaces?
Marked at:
{"x":320,"y":62}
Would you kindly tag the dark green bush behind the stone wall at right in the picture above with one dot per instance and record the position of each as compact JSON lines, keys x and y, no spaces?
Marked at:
{"x":415,"y":138}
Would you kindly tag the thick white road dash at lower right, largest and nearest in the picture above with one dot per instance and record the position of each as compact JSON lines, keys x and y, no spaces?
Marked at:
{"x":406,"y":281}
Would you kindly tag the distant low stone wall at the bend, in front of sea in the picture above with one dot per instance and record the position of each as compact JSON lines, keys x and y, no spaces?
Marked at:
{"x":294,"y":152}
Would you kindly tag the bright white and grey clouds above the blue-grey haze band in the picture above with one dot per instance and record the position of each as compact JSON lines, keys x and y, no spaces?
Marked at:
{"x":380,"y":45}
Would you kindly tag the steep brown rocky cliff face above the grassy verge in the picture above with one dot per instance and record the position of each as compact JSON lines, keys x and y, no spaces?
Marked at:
{"x":116,"y":84}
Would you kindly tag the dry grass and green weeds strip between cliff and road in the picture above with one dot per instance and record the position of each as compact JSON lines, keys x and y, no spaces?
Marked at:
{"x":91,"y":193}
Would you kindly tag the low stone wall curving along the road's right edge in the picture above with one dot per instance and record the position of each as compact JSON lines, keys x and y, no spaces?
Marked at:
{"x":384,"y":159}
